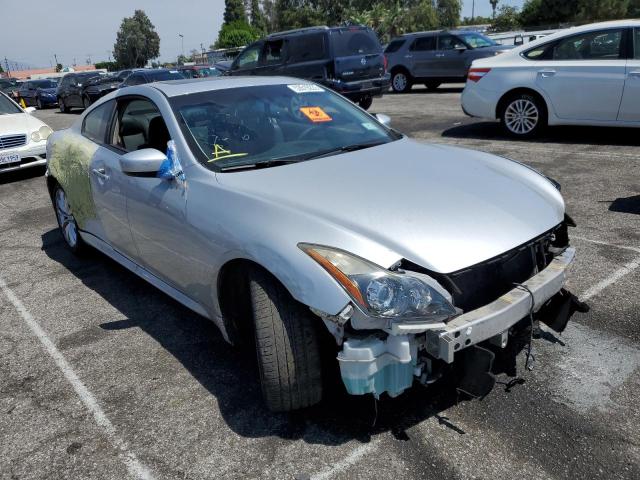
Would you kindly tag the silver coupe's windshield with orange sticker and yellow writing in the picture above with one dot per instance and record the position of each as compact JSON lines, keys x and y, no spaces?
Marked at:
{"x":247,"y":125}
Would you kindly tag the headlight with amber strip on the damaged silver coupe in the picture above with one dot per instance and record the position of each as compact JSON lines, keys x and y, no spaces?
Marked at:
{"x":380,"y":292}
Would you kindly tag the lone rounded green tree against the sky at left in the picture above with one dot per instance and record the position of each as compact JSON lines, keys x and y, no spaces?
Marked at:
{"x":137,"y":41}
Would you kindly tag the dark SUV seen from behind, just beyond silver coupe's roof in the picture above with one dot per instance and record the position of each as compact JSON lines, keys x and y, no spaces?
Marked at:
{"x":348,"y":60}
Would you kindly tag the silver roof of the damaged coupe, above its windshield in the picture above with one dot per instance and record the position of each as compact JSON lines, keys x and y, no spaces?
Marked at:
{"x":174,"y":88}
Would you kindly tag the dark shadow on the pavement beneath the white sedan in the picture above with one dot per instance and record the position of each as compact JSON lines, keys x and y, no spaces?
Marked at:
{"x":563,"y":135}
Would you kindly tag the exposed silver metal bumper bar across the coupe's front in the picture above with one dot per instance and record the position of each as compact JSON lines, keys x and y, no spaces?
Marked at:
{"x":494,"y":319}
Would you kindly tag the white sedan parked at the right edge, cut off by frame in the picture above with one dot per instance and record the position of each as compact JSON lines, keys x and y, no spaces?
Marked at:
{"x":588,"y":75}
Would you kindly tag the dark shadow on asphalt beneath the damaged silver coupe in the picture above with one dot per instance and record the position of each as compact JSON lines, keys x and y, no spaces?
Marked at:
{"x":230,"y":373}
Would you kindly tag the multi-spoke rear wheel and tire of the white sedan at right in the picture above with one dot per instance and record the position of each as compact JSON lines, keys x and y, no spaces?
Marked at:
{"x":523,"y":115}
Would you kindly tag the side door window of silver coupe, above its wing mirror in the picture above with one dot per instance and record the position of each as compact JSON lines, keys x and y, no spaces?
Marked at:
{"x":139,"y":125}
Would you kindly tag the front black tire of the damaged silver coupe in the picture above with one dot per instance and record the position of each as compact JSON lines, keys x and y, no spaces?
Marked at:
{"x":287,"y":344}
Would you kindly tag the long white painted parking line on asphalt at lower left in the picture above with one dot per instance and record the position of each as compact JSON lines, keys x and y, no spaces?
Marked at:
{"x":135,"y":468}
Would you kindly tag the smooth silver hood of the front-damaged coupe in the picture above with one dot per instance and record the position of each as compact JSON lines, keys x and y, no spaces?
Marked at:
{"x":443,"y":208}
